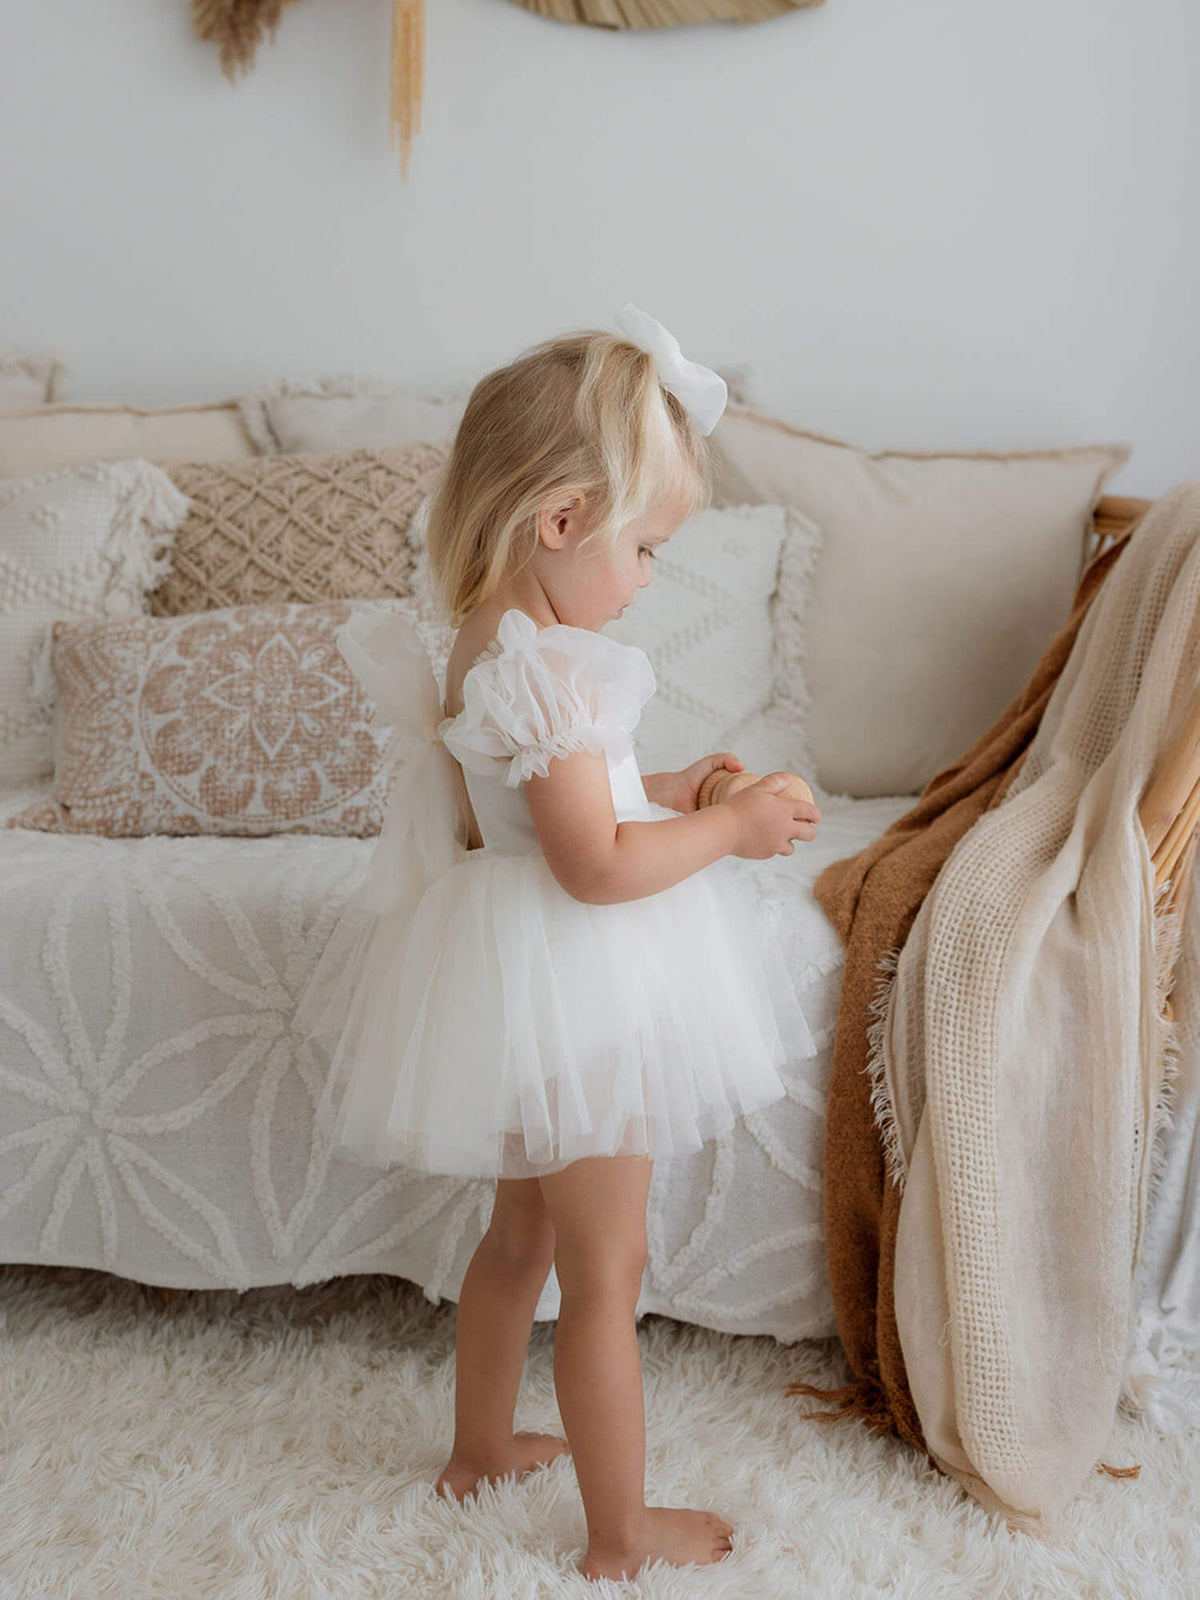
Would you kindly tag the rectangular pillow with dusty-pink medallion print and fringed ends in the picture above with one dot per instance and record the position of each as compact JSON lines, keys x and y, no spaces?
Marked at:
{"x":239,"y":721}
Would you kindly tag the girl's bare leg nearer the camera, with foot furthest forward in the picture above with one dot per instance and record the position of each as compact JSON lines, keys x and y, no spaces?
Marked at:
{"x":599,"y":1212}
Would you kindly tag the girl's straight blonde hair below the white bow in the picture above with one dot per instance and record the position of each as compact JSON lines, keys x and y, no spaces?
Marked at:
{"x":585,"y":415}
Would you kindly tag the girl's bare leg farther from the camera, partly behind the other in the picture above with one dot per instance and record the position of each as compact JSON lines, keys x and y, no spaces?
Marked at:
{"x":492,"y":1337}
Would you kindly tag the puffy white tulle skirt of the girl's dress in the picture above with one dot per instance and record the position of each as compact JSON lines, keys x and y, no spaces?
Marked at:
{"x":500,"y":1028}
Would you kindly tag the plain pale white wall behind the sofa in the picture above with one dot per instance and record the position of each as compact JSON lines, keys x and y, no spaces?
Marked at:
{"x":935,"y":223}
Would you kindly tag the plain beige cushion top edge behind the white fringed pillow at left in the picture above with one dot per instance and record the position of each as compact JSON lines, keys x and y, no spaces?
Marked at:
{"x":76,"y":433}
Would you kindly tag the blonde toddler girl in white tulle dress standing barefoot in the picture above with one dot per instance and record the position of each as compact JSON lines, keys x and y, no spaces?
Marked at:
{"x":551,"y":975}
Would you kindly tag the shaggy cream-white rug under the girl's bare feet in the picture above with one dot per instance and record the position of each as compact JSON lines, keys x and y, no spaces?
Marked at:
{"x":282,"y":1446}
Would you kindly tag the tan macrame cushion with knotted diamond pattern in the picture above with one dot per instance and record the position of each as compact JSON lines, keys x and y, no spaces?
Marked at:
{"x":302,"y":529}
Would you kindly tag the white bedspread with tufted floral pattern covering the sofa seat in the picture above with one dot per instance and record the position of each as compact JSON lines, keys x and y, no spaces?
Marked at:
{"x":158,"y":1124}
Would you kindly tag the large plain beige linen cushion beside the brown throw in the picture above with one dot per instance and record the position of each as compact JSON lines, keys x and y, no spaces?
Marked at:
{"x":943,"y":577}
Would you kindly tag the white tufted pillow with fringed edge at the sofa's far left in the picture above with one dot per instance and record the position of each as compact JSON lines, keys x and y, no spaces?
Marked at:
{"x":74,"y":543}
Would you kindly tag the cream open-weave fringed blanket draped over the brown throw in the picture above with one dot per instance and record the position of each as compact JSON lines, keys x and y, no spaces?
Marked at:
{"x":1023,"y":1058}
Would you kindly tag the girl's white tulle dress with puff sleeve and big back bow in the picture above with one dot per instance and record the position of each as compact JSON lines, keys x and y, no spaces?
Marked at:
{"x":473,"y":1017}
